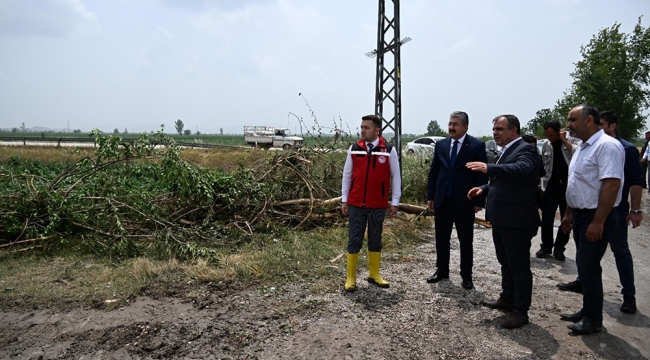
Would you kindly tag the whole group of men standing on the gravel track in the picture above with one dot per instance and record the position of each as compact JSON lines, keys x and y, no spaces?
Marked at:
{"x":593,"y":177}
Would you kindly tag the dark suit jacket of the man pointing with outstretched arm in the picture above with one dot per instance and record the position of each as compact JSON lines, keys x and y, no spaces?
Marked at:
{"x":511,"y":191}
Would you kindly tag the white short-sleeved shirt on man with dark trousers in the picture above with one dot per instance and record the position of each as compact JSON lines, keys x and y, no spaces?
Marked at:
{"x":600,"y":157}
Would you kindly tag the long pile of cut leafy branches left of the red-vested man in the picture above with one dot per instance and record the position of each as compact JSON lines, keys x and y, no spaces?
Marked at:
{"x":141,"y":196}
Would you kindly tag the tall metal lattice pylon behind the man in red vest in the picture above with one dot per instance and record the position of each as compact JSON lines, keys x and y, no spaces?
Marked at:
{"x":388,"y":84}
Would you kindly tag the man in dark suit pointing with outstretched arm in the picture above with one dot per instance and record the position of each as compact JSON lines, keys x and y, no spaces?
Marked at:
{"x":512,"y":211}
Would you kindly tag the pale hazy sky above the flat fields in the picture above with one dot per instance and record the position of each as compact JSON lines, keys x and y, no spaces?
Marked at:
{"x":224,"y":64}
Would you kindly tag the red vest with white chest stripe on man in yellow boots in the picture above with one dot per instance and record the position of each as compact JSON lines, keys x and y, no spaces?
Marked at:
{"x":370,"y":175}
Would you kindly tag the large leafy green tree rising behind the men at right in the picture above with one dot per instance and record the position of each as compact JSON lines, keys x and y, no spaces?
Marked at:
{"x":614,"y":74}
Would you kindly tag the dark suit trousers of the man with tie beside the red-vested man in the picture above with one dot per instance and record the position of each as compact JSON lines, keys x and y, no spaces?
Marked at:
{"x":461,"y":213}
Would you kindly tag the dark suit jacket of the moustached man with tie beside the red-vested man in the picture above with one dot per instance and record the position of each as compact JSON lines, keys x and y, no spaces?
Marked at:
{"x":462,"y":179}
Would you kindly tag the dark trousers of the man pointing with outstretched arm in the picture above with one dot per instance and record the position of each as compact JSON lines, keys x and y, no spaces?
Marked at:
{"x":512,"y":246}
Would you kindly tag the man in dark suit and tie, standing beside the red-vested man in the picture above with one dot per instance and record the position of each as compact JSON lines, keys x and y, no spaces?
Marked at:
{"x":449,"y":182}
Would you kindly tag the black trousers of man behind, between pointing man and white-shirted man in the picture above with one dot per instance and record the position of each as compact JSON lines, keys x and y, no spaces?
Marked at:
{"x":554,"y":197}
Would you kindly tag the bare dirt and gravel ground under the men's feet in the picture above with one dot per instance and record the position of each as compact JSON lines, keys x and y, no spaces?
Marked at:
{"x":411,"y":320}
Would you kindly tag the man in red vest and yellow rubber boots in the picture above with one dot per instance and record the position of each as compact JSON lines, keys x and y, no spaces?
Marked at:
{"x":371,"y":169}
